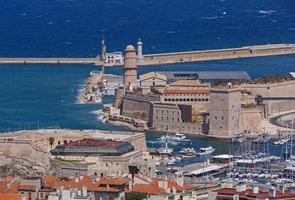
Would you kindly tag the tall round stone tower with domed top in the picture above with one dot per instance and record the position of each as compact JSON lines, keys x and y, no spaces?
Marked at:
{"x":130,"y":68}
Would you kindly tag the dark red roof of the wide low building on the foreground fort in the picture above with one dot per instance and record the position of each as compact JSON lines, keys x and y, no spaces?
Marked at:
{"x":94,"y":142}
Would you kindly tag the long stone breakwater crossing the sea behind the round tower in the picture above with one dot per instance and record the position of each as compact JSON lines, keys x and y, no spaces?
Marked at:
{"x":166,"y":58}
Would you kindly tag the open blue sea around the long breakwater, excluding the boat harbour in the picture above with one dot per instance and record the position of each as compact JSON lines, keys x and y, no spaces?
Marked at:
{"x":44,"y":96}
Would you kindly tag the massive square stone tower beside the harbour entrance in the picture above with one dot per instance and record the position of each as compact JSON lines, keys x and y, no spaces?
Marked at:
{"x":225,"y":110}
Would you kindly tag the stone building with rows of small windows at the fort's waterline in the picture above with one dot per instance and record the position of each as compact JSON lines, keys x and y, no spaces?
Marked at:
{"x":173,"y":118}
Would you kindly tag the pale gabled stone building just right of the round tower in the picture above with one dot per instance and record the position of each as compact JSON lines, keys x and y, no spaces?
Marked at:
{"x":152,"y":79}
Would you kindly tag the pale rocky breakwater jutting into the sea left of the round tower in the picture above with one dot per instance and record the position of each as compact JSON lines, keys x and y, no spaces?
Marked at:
{"x":92,"y":90}
